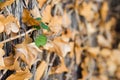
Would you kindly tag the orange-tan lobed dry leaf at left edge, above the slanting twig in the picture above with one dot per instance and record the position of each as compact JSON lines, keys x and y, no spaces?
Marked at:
{"x":9,"y":24}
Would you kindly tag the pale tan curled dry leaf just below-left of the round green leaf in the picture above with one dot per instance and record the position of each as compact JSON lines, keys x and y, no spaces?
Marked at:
{"x":27,"y":51}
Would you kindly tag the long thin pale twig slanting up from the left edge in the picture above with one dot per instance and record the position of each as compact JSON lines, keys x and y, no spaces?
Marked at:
{"x":18,"y":36}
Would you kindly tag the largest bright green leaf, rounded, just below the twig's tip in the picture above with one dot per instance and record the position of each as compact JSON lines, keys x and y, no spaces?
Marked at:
{"x":41,"y":40}
